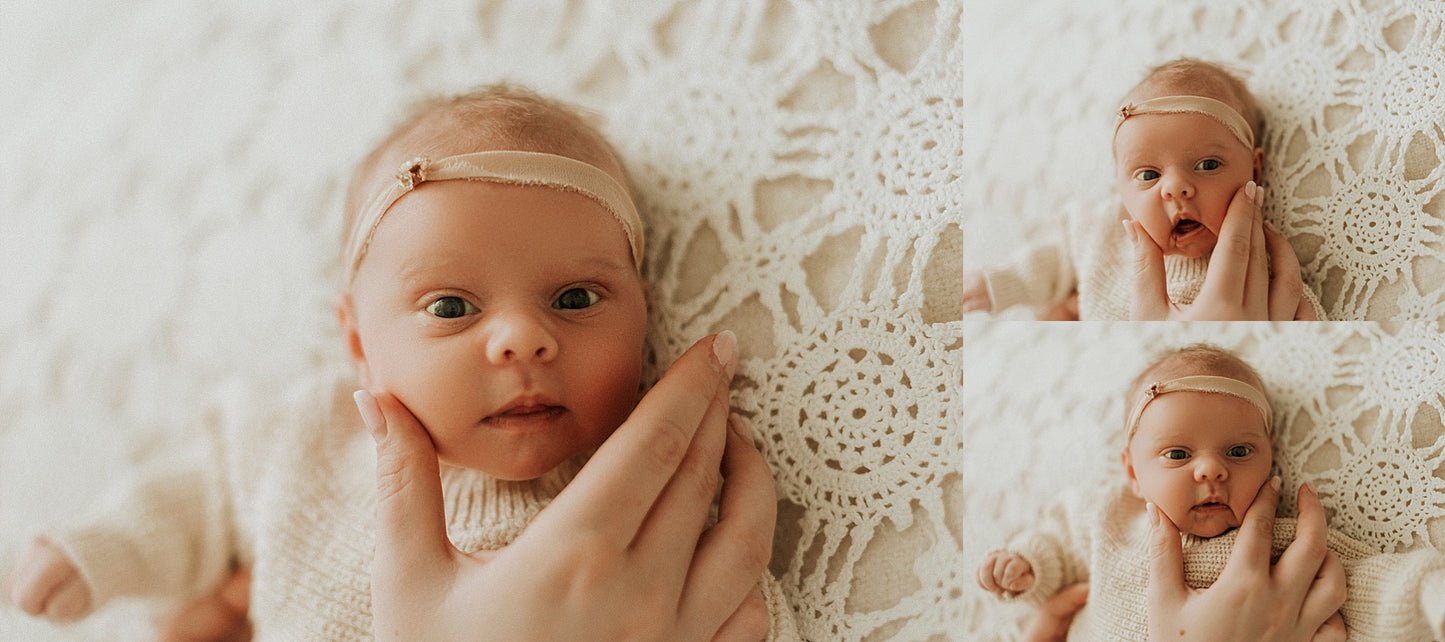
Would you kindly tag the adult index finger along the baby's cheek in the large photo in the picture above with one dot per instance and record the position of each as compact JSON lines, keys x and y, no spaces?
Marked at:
{"x":622,"y":482}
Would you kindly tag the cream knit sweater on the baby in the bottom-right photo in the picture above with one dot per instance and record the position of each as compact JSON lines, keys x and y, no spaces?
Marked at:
{"x":1105,"y":540}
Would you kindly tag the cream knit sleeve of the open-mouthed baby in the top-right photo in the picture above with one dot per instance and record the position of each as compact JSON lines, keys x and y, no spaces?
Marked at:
{"x":1040,"y":277}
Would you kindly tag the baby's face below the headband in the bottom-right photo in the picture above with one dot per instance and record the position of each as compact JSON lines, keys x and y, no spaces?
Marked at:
{"x":1202,"y":458}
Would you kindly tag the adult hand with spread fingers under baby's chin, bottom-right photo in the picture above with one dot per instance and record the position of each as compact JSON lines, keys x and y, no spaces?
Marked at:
{"x":1252,"y":599}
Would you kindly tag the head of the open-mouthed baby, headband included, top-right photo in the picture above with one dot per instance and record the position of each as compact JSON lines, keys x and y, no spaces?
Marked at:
{"x":1187,"y":140}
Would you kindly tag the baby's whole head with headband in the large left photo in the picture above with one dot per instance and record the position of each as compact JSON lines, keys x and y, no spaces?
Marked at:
{"x":495,"y":287}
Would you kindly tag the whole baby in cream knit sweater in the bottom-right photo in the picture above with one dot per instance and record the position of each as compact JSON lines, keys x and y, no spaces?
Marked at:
{"x":1200,"y":449}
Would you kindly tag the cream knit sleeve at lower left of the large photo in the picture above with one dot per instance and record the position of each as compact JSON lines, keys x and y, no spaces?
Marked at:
{"x":164,"y":534}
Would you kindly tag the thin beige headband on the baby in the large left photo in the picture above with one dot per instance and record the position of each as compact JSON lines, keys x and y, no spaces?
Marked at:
{"x":512,"y":168}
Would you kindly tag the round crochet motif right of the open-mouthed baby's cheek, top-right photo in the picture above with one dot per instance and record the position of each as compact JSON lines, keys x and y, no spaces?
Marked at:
{"x":1384,"y":242}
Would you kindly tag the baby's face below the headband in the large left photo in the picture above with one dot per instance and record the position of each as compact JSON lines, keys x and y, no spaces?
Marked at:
{"x":508,"y":319}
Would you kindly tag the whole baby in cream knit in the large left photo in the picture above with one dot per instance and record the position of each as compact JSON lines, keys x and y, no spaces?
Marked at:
{"x":493,"y":287}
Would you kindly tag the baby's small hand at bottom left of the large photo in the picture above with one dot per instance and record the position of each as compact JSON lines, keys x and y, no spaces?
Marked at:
{"x":46,"y":583}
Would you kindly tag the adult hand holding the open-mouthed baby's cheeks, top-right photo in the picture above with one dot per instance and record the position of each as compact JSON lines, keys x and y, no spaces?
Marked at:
{"x":1239,"y":286}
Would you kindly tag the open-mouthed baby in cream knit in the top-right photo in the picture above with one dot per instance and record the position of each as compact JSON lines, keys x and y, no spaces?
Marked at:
{"x":1186,"y":142}
